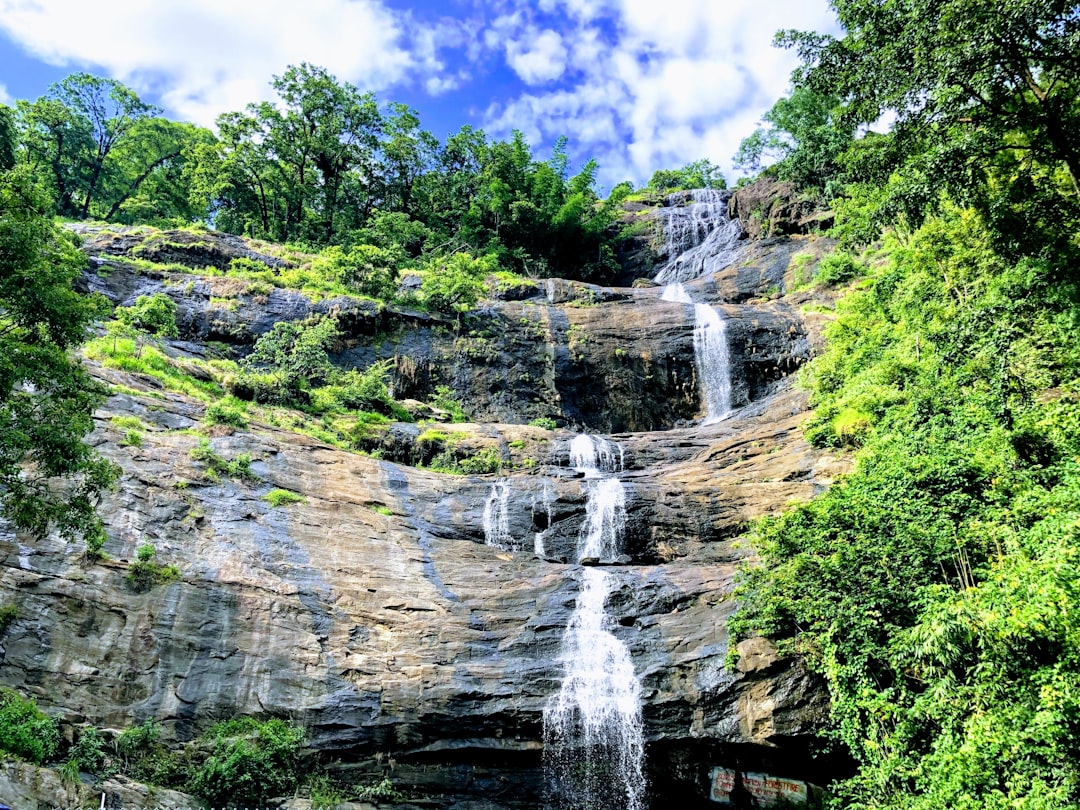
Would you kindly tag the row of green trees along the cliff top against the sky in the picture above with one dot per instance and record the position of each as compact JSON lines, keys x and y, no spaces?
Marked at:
{"x":327,"y":166}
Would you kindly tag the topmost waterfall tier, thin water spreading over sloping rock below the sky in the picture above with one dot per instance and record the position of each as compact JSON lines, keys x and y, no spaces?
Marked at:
{"x":700,"y":238}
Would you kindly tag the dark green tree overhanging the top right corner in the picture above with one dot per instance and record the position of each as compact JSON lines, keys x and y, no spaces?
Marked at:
{"x":980,"y":89}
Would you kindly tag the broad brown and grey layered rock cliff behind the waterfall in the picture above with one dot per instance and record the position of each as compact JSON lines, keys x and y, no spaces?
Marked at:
{"x":371,"y":611}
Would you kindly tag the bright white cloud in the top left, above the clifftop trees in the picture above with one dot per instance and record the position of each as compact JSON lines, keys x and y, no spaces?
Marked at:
{"x":208,"y":57}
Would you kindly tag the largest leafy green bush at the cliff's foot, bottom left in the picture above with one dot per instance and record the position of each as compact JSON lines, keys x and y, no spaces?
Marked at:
{"x":249,"y":762}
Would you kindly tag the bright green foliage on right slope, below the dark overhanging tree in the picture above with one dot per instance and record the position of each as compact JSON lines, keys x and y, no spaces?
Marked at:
{"x":936,"y":587}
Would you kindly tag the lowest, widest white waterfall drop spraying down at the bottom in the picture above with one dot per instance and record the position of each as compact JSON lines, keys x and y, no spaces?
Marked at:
{"x":595,"y":744}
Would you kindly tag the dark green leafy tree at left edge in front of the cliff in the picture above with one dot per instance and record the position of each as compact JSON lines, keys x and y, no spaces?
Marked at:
{"x":47,"y":399}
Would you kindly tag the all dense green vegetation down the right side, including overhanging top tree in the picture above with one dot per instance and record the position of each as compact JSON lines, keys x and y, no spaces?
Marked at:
{"x":937,"y":587}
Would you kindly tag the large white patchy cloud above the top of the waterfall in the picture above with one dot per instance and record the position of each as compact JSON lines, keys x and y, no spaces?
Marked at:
{"x":655,"y":85}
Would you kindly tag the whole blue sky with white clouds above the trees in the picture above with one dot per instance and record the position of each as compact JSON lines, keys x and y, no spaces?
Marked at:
{"x":638,"y":85}
